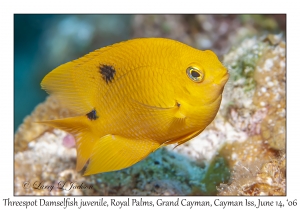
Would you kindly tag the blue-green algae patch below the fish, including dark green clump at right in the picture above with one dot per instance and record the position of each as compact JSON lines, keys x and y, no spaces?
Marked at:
{"x":167,"y":168}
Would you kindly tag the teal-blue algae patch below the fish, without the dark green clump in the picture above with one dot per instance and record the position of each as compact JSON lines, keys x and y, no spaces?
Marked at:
{"x":163,"y":166}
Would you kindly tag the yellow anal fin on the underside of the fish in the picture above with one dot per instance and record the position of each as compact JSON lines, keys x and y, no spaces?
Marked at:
{"x":113,"y":152}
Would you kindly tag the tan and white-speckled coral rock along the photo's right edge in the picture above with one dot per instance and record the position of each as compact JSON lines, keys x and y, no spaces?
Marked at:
{"x":259,"y":162}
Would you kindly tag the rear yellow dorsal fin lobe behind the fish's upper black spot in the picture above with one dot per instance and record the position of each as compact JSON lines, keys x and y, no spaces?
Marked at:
{"x":76,"y":83}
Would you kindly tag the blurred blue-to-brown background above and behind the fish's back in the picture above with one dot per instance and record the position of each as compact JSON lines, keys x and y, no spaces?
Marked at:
{"x":43,"y":42}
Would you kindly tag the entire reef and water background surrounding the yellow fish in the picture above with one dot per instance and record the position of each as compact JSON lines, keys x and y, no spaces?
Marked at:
{"x":237,"y":154}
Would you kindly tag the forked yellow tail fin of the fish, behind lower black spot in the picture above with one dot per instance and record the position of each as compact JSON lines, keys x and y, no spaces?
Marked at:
{"x":84,"y":135}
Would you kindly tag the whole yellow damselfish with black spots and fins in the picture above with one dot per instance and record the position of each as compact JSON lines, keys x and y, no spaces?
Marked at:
{"x":135,"y":96}
